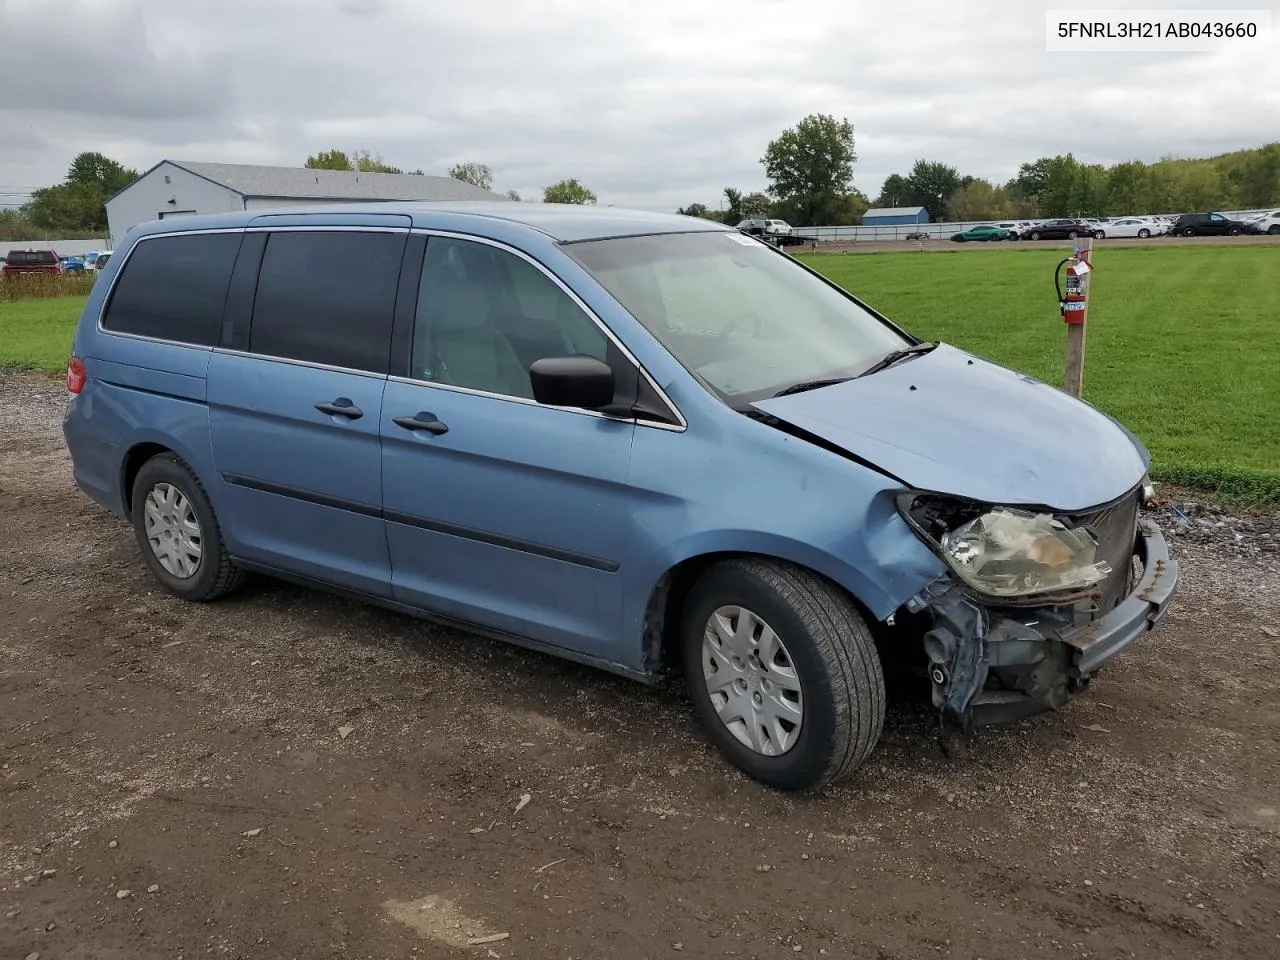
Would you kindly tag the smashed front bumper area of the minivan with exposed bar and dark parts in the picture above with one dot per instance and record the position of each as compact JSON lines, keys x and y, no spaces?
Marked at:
{"x":991,"y":665}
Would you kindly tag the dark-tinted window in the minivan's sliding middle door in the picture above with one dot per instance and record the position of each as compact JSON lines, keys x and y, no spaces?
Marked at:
{"x":328,"y":298}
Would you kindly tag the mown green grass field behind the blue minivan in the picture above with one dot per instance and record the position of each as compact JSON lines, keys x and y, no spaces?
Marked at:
{"x":1183,"y":342}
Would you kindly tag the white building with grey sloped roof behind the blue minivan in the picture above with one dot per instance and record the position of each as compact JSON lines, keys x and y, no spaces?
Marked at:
{"x":185,"y":189}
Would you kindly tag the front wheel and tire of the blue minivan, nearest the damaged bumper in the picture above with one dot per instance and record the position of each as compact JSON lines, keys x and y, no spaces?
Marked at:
{"x":839,"y":684}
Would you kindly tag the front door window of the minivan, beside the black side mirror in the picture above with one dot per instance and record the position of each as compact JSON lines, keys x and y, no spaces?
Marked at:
{"x":484,"y":316}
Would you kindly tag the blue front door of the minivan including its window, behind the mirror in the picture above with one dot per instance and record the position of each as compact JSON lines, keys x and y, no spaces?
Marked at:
{"x":500,"y":511}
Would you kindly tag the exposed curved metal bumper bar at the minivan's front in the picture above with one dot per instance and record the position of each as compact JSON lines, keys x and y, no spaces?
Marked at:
{"x":1137,"y":614}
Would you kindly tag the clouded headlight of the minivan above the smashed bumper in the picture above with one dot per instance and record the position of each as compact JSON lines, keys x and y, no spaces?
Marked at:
{"x":1014,"y":554}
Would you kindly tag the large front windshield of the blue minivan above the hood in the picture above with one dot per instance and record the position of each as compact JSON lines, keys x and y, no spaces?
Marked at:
{"x":746,"y":319}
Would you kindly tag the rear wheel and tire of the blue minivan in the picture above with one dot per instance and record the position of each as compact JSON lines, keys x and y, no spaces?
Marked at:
{"x":213,"y":574}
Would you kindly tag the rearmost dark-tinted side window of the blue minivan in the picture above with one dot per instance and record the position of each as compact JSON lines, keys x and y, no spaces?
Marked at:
{"x":175,"y":287}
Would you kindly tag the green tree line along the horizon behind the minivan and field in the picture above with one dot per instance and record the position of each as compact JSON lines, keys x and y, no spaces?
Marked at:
{"x":810,"y":170}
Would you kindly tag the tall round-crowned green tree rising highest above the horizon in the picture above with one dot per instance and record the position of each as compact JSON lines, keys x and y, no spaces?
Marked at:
{"x":811,"y":167}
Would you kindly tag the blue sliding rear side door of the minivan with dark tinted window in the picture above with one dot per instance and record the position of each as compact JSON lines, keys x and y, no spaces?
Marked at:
{"x":295,"y":415}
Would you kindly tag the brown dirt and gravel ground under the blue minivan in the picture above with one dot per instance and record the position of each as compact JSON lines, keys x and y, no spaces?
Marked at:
{"x":287,"y":775}
